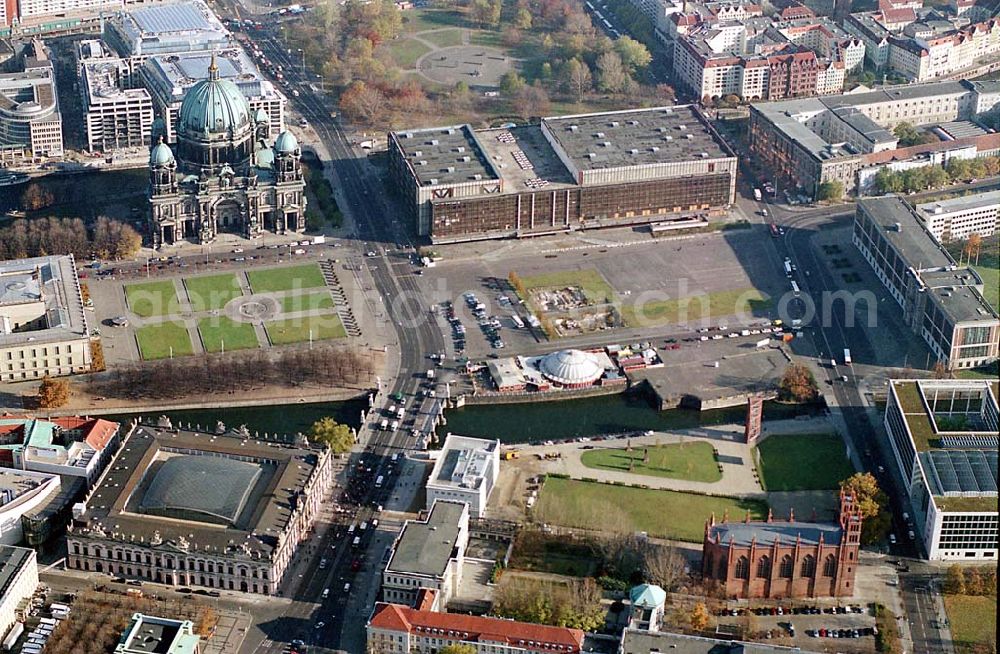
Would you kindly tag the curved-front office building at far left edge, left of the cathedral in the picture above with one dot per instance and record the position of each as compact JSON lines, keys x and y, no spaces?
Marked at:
{"x":30,"y":121}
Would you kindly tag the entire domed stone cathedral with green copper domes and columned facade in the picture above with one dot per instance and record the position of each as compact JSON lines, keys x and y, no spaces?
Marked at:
{"x":225,"y":176}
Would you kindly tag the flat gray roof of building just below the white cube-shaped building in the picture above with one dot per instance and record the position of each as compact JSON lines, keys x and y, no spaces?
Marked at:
{"x":425,"y":547}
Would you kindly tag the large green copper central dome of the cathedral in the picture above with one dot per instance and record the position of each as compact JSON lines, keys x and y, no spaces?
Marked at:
{"x":213,"y":106}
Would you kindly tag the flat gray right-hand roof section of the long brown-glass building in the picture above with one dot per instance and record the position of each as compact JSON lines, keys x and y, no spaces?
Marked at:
{"x":632,"y":138}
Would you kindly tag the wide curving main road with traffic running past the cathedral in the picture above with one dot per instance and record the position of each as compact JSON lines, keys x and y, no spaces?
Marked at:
{"x":363,"y":199}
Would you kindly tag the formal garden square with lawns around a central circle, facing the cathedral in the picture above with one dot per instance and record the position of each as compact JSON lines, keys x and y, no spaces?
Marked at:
{"x":225,"y":311}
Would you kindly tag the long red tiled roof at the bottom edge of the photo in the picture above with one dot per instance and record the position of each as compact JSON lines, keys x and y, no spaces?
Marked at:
{"x":471,"y":628}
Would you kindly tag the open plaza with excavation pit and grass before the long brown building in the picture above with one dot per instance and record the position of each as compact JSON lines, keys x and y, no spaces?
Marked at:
{"x":623,"y":281}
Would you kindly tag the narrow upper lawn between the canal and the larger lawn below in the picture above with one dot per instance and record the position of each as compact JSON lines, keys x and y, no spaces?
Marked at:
{"x":694,"y":461}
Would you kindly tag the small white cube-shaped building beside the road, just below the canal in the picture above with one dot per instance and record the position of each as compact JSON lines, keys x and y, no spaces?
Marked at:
{"x":465,"y":471}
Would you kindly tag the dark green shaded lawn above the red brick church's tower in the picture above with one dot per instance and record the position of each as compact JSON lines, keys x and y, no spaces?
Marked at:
{"x":803,"y":462}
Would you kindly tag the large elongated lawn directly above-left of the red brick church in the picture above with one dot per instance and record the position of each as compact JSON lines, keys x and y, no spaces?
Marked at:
{"x":663,"y":514}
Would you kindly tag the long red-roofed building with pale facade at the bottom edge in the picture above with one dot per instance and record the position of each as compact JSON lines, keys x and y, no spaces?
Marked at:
{"x":395,"y":629}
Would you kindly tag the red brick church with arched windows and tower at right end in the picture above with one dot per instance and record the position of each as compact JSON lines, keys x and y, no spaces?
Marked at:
{"x":784,"y":558}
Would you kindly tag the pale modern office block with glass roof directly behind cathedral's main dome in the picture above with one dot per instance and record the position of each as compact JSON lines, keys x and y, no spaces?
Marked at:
{"x":169,"y":77}
